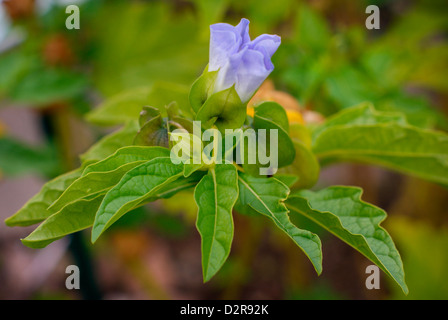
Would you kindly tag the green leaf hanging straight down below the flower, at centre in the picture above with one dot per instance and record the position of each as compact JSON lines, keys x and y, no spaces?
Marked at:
{"x":215,"y":196}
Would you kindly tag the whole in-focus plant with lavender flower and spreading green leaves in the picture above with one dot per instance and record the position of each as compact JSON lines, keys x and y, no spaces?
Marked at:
{"x":204,"y":139}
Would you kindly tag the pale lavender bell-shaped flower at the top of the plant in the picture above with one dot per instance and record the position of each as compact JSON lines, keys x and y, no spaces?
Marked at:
{"x":239,"y":60}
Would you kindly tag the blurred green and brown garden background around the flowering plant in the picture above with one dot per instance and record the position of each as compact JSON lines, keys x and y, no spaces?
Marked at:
{"x":50,"y":77}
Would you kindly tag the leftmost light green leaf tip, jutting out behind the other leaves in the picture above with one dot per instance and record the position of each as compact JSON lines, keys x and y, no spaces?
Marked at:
{"x":36,"y":209}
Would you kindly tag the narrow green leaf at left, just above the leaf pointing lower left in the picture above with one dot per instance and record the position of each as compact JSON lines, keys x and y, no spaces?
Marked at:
{"x":99,"y":177}
